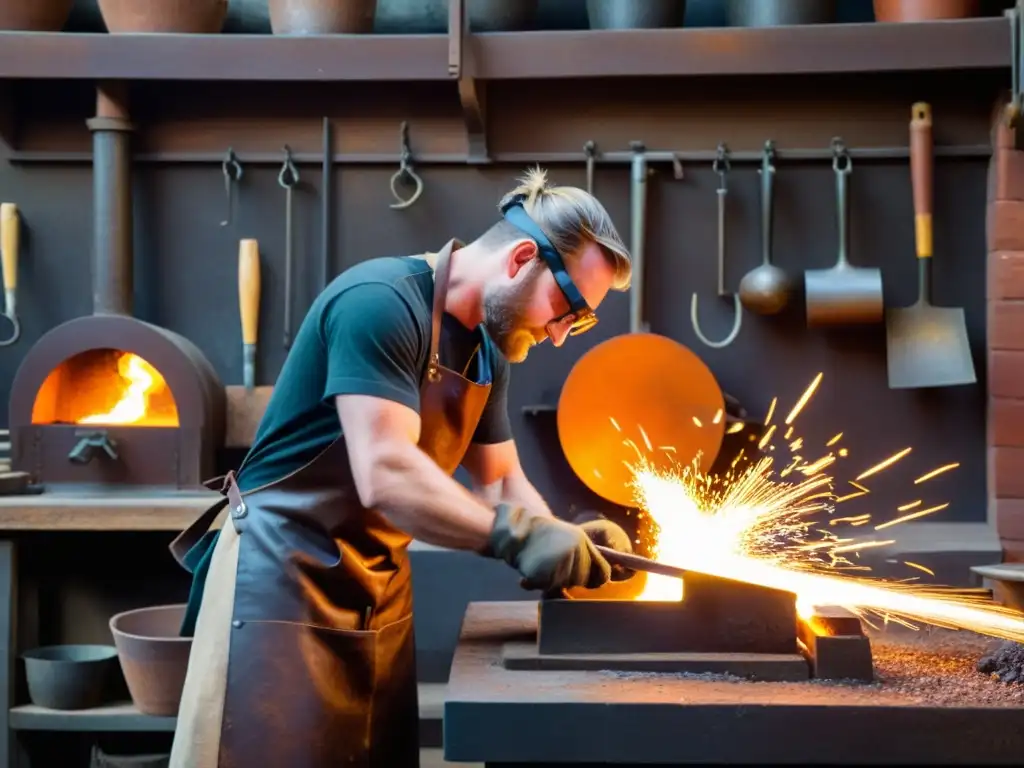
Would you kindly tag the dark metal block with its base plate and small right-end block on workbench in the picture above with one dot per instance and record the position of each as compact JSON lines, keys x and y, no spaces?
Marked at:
{"x":721,"y":626}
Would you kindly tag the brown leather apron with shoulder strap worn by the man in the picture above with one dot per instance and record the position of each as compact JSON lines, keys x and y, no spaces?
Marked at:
{"x":304,"y":654}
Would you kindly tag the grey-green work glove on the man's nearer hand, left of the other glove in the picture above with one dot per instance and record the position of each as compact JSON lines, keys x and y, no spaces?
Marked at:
{"x":551,"y":554}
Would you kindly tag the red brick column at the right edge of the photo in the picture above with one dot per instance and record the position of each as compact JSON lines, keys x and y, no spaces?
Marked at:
{"x":1006,"y":338}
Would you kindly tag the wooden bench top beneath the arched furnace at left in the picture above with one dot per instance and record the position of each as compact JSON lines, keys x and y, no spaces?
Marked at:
{"x":92,"y":510}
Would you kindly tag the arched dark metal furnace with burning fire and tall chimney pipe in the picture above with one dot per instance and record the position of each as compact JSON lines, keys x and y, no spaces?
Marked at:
{"x":110,"y":401}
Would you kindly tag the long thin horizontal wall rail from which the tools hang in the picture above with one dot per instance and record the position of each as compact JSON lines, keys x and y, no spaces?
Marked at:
{"x":544,"y":158}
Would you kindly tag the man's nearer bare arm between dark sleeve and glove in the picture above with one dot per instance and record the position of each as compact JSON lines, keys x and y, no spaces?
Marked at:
{"x":394,"y":476}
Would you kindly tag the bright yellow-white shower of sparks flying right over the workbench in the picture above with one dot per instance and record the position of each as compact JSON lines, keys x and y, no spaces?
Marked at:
{"x":751,"y":525}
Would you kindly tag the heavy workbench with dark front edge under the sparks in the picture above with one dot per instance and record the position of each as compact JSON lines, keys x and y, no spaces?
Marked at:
{"x":509,"y":718}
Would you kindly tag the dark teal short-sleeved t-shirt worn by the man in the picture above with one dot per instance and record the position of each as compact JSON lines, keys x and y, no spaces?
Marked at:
{"x":368,"y":333}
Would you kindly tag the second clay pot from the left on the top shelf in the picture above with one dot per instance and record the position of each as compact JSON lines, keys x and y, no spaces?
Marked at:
{"x":168,"y":17}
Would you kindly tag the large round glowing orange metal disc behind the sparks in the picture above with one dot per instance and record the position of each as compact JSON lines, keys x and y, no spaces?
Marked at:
{"x":631,"y":387}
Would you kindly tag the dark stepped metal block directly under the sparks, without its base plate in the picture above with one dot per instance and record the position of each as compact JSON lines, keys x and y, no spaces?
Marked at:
{"x":716,"y":616}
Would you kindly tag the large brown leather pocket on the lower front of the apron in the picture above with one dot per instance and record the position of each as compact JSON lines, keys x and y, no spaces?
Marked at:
{"x":301,"y":695}
